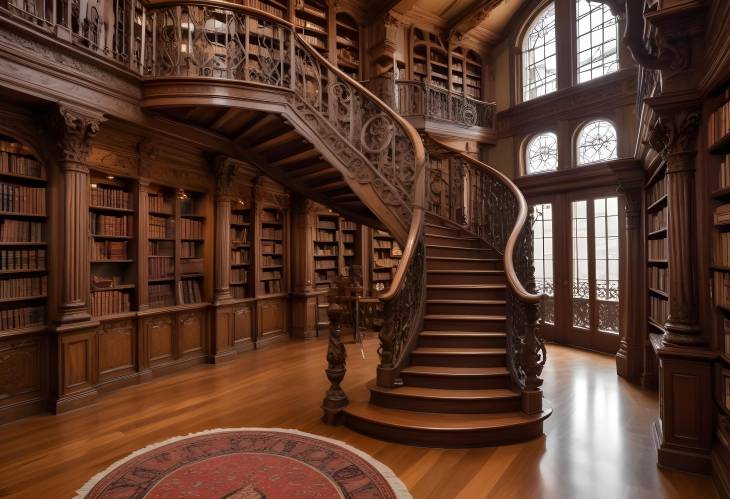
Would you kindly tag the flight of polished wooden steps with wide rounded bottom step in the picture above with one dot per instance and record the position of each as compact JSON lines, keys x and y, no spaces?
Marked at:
{"x":457,"y":390}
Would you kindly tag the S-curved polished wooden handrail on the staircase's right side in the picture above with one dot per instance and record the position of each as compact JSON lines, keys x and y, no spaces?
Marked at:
{"x":509,"y":251}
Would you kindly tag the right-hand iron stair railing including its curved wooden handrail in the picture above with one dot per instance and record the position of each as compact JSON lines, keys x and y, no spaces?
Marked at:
{"x":487,"y":203}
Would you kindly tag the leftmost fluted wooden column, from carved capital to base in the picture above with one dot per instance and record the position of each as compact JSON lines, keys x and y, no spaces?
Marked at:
{"x":74,"y":130}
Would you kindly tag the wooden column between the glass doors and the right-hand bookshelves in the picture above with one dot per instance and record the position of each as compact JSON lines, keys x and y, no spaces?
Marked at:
{"x":630,"y":352}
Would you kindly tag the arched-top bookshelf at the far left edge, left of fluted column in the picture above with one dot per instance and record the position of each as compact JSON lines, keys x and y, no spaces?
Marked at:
{"x":23,"y":243}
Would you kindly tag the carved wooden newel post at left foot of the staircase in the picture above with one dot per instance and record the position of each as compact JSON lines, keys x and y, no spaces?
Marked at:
{"x":335,"y":399}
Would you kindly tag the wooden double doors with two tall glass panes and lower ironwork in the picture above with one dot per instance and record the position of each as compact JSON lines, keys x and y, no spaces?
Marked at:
{"x":595,"y":270}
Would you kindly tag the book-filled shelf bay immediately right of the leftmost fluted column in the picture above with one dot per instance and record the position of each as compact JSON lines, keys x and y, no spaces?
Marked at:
{"x":111,"y":219}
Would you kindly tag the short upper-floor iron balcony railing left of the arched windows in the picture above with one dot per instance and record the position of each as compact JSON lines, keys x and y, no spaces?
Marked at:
{"x":417,"y":98}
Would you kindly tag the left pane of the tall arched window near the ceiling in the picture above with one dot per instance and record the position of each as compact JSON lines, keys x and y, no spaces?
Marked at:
{"x":539,"y":63}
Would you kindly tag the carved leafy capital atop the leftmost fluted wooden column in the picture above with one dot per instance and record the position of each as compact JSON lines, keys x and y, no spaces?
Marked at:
{"x":74,"y":131}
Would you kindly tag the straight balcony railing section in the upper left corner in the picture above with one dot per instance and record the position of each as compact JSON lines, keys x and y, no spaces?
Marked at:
{"x":111,"y":28}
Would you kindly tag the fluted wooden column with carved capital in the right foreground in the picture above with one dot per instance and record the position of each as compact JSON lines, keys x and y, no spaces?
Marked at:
{"x":674,"y":137}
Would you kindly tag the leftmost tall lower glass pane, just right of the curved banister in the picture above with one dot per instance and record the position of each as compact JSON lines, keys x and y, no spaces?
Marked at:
{"x":543,"y":257}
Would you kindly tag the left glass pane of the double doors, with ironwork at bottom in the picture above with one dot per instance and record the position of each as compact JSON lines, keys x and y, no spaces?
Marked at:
{"x":581,"y":285}
